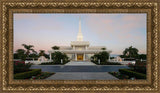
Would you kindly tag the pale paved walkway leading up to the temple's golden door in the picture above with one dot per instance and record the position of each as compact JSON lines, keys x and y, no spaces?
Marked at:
{"x":80,"y":63}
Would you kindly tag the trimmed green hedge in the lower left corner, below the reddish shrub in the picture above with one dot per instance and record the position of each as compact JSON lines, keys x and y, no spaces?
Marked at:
{"x":28,"y":74}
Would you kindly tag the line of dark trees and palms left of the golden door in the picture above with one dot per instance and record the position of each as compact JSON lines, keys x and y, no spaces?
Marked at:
{"x":29,"y":53}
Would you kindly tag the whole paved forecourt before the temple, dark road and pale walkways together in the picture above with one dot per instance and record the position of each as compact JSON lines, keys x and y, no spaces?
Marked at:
{"x":76,"y":71}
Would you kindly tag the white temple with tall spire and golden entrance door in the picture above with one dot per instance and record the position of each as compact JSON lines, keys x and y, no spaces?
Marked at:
{"x":79,"y":50}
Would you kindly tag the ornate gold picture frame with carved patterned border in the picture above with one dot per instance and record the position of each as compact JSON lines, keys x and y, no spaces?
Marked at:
{"x":8,"y":7}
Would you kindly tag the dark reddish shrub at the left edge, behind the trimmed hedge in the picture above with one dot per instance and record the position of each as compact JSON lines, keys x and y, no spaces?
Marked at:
{"x":20,"y":66}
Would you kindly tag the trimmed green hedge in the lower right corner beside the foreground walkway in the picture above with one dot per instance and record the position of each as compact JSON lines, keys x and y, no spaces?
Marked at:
{"x":132,"y":74}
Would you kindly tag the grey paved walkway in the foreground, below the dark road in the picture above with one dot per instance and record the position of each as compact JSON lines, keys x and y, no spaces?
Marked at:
{"x":82,"y":76}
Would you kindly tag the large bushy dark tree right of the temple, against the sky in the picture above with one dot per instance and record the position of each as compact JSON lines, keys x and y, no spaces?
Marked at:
{"x":130,"y":52}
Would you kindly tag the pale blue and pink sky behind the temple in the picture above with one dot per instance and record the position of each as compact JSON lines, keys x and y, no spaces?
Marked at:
{"x":115,"y":31}
